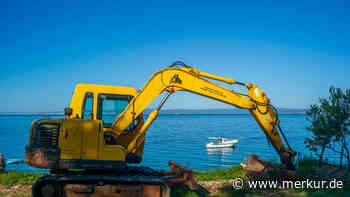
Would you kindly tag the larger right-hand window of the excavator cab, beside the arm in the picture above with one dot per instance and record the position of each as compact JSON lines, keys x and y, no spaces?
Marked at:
{"x":110,"y":106}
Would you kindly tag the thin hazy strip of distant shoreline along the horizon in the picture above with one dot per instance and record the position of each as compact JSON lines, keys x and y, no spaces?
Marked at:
{"x":170,"y":112}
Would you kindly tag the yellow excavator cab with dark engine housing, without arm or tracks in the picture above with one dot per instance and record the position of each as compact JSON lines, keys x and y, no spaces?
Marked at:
{"x":84,"y":138}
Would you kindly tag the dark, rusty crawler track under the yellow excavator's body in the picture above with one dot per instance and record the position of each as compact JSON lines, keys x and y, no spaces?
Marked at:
{"x":129,"y":181}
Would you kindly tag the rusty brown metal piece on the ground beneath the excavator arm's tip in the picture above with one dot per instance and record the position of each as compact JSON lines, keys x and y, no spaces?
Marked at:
{"x":256,"y":168}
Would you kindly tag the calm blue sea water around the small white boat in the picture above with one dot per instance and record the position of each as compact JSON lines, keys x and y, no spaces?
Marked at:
{"x":181,"y":138}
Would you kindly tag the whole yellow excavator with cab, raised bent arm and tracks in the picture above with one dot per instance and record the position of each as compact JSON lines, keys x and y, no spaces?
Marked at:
{"x":104,"y":129}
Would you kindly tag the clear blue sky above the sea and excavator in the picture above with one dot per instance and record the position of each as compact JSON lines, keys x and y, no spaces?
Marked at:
{"x":293,"y":50}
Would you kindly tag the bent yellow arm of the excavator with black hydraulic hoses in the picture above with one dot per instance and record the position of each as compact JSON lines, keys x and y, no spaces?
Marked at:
{"x":175,"y":78}
